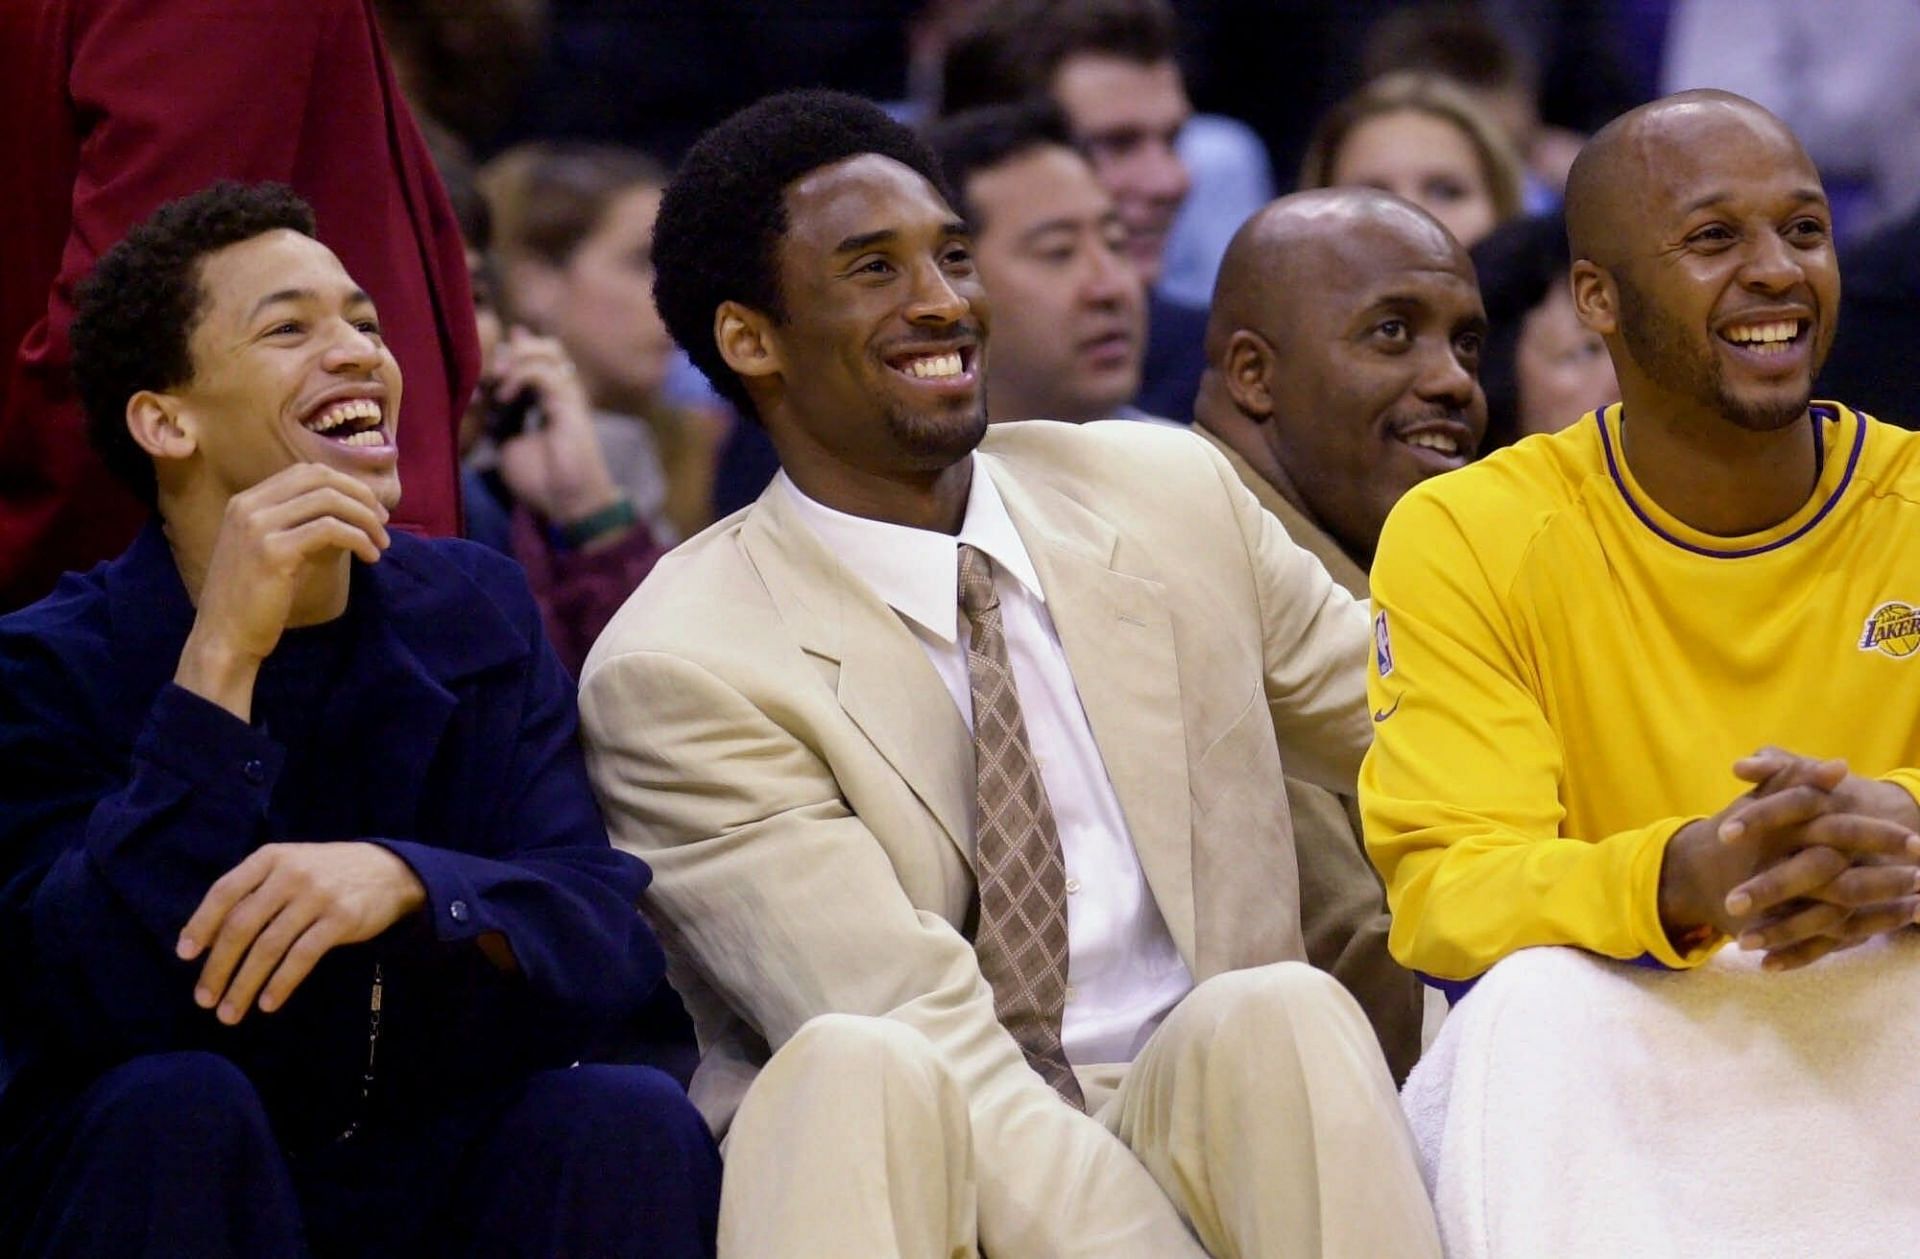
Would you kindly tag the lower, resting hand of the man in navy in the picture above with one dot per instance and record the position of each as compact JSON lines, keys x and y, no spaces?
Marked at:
{"x":272,"y":918}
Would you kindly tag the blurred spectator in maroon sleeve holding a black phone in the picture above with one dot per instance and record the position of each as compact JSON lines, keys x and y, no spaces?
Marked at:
{"x":546,"y":494}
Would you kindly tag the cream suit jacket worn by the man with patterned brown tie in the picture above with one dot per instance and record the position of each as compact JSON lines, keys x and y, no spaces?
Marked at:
{"x":777,"y":744}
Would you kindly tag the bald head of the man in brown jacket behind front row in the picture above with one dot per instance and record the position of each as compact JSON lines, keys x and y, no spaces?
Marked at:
{"x":1343,"y":356}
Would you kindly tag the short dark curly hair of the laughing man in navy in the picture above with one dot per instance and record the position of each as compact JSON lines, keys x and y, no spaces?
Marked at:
{"x":137,"y":310}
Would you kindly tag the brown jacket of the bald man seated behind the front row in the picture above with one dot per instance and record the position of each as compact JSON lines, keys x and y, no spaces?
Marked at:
{"x":1343,"y":905}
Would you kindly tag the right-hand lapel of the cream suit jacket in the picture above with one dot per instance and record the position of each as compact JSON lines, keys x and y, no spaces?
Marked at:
{"x":1120,"y":648}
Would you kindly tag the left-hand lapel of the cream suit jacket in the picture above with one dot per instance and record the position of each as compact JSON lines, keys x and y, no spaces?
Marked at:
{"x":884,"y":680}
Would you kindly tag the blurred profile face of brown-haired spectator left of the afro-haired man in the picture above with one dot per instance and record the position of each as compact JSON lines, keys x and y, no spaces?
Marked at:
{"x":602,"y":308}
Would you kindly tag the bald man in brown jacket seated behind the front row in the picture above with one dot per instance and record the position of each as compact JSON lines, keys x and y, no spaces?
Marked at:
{"x":1343,"y":369}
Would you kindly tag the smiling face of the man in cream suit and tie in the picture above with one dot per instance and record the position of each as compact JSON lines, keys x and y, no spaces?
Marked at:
{"x":876,"y":369}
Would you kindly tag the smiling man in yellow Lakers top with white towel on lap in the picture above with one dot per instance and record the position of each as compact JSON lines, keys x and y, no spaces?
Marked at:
{"x":1591,"y":652}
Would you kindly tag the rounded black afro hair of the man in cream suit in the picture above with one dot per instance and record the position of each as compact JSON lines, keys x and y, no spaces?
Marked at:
{"x":725,"y":214}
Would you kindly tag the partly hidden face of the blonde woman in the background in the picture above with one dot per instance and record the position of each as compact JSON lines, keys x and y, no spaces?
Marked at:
{"x":1426,"y":160}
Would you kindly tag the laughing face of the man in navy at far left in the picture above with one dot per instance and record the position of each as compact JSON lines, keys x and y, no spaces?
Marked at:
{"x":289,"y":368}
